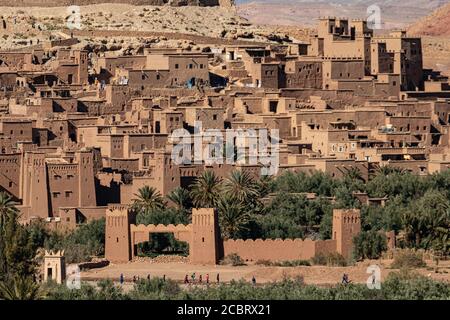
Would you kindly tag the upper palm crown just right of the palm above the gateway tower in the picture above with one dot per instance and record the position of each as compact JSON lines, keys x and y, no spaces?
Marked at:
{"x":241,"y":186}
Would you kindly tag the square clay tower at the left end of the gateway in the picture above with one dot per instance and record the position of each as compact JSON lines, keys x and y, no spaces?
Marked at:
{"x":117,"y":234}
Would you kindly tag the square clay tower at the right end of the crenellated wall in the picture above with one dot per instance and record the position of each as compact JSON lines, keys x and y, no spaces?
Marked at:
{"x":346,"y":225}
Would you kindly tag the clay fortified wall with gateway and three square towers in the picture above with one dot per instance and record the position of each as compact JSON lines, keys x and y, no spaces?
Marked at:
{"x":206,"y":246}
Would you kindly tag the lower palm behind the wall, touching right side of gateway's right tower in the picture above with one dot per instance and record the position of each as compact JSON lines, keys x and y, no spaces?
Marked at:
{"x":232,"y":217}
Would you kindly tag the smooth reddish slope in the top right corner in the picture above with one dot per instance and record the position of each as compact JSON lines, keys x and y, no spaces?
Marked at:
{"x":436,"y":24}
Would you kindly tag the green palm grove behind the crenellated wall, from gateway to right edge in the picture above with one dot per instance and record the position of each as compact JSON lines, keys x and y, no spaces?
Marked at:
{"x":417,"y":207}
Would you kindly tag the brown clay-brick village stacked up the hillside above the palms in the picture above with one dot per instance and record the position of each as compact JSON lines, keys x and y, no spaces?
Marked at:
{"x":81,"y":130}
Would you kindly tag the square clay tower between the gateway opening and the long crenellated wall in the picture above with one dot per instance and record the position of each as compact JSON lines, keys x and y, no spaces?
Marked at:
{"x":205,"y":236}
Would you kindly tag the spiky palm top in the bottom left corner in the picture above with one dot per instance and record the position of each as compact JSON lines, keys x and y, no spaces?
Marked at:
{"x":20,"y":288}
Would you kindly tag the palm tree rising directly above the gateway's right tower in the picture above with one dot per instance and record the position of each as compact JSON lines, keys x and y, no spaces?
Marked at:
{"x":206,"y":190}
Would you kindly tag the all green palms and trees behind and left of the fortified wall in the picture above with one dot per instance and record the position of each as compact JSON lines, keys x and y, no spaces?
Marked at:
{"x":417,"y":208}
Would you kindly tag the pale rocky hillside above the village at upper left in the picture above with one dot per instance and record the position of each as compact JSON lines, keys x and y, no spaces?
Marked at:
{"x":25,"y":24}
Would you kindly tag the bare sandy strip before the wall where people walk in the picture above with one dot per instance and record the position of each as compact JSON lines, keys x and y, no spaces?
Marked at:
{"x":318,"y":275}
